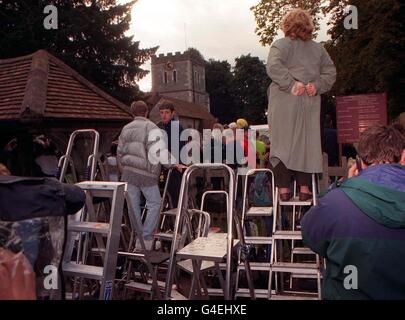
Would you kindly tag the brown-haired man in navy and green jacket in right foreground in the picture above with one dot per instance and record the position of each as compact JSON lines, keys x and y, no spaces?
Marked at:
{"x":359,"y":227}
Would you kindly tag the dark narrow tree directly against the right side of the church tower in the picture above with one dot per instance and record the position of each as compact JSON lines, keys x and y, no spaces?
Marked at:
{"x":219,"y":84}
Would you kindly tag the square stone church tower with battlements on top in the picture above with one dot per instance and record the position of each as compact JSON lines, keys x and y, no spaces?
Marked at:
{"x":180,"y":76}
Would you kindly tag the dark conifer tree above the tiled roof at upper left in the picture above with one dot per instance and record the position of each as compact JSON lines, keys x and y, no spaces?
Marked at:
{"x":90,"y":38}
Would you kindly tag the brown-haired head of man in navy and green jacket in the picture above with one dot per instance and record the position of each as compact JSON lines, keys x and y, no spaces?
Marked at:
{"x":381,"y":144}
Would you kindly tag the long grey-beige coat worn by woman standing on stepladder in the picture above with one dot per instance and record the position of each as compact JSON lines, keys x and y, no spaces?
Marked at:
{"x":295,"y":121}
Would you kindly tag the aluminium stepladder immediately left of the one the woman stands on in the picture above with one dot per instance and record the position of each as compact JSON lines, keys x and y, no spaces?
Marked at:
{"x":256,"y":212}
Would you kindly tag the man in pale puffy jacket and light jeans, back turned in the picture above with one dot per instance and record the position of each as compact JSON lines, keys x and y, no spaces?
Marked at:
{"x":141,"y":166}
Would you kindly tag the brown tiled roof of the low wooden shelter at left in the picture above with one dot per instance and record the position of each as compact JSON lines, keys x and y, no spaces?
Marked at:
{"x":42,"y":85}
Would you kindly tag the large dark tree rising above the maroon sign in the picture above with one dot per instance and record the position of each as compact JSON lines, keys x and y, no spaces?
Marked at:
{"x":372,"y":58}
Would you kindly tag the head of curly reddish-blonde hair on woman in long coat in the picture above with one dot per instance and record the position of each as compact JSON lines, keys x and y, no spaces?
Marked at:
{"x":298,"y":24}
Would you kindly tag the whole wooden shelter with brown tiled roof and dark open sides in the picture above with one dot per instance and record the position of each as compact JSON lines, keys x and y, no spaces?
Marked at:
{"x":39,"y":94}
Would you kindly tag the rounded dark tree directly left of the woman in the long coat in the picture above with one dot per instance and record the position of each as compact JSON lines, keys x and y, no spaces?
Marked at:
{"x":250,"y":87}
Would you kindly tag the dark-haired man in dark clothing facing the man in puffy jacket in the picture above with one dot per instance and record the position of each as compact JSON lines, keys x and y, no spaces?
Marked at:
{"x":173,"y":130}
